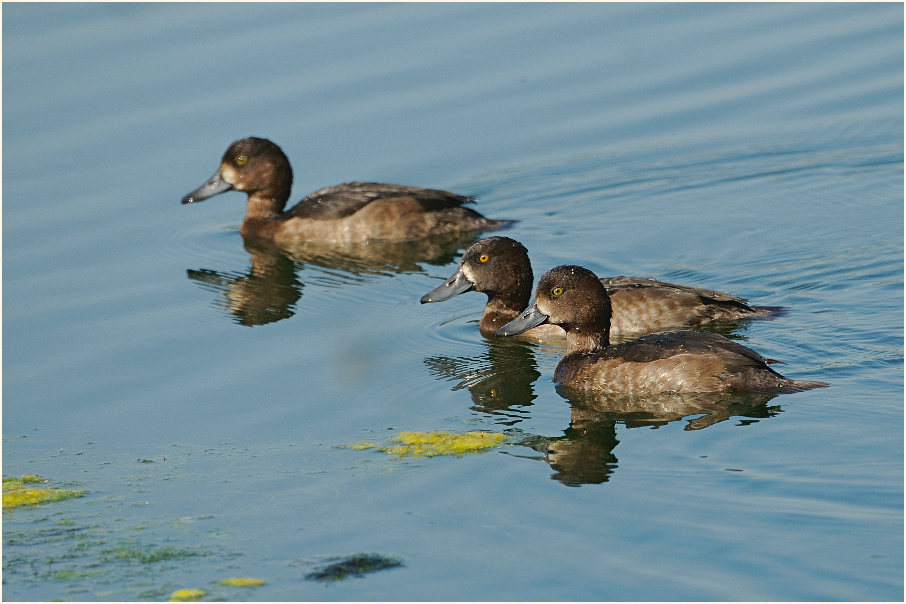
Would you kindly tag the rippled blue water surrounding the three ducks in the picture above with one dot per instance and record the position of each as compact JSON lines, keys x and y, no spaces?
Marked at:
{"x":201,"y":392}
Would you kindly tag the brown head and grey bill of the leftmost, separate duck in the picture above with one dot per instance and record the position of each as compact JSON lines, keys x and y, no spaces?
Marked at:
{"x":253,"y":165}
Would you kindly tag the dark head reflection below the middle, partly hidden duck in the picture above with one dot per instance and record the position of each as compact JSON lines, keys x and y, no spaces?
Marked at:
{"x":500,"y":380}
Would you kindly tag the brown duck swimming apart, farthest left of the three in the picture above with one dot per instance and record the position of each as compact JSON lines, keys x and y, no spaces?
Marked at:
{"x":345,"y":213}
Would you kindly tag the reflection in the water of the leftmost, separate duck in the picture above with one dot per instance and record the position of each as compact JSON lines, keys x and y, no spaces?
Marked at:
{"x":270,"y":288}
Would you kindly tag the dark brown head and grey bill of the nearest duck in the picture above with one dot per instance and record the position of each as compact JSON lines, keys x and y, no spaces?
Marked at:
{"x":572,"y":297}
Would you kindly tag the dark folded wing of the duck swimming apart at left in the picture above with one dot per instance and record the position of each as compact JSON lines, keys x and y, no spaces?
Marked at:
{"x":342,"y":200}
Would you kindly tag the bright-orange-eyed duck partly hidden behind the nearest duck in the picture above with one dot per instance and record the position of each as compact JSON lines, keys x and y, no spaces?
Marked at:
{"x":500,"y":267}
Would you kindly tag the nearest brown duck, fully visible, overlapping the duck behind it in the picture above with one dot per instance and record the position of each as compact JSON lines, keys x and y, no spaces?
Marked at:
{"x":680,"y":361}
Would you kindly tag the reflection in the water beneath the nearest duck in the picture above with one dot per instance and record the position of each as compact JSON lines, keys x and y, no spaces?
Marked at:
{"x":585,"y":452}
